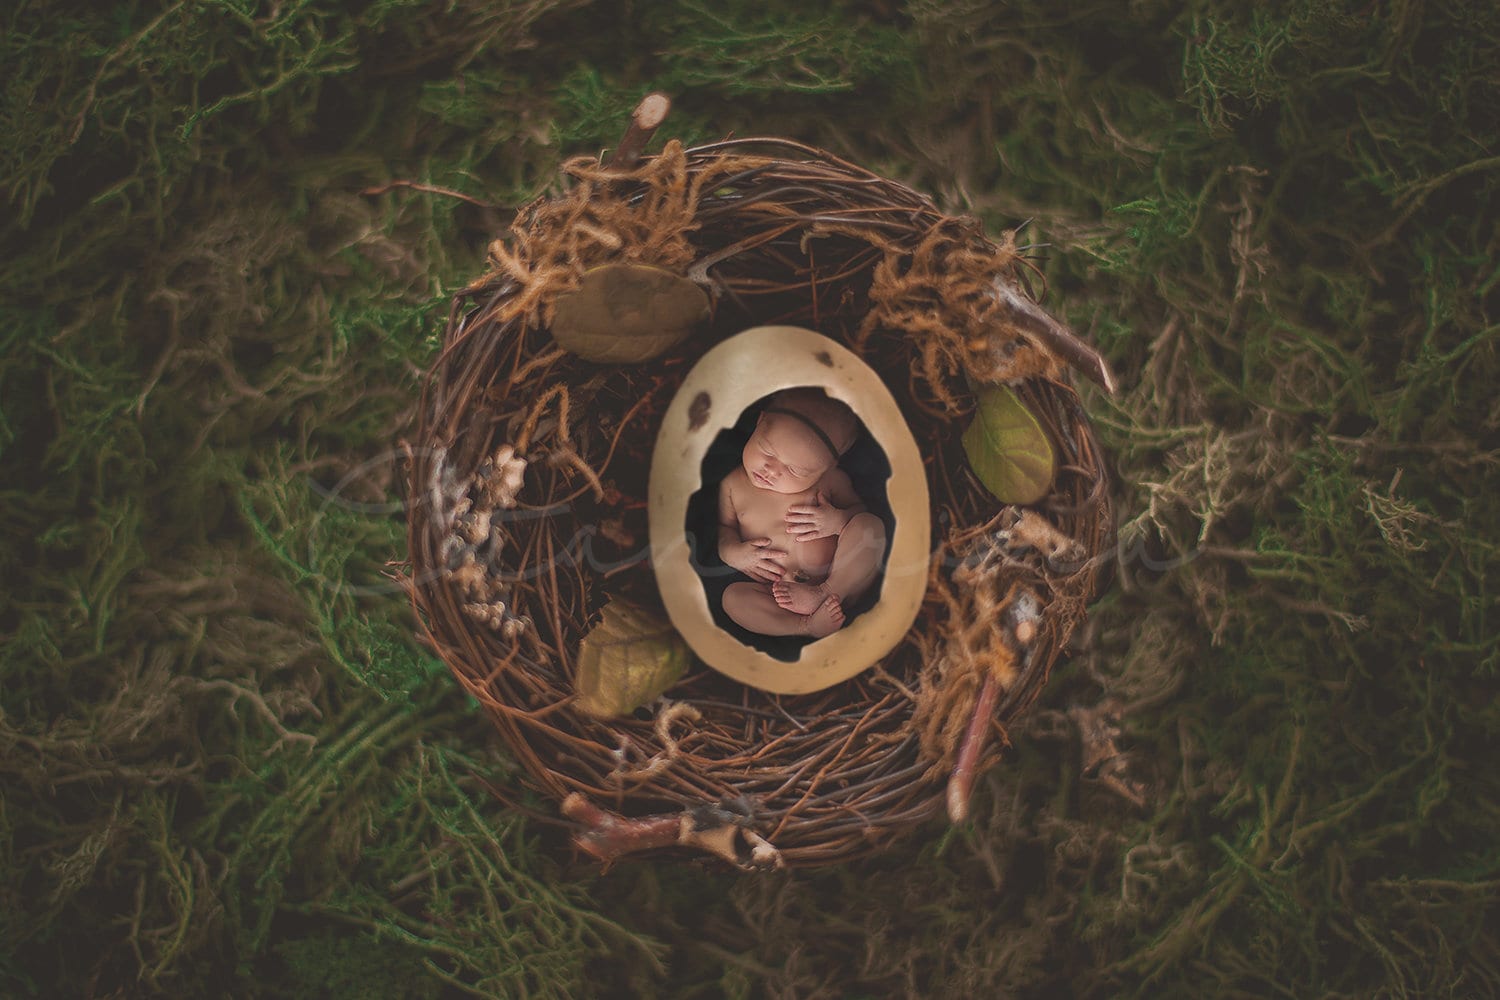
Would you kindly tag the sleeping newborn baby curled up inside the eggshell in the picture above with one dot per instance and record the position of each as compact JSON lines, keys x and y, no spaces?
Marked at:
{"x":791,"y":521}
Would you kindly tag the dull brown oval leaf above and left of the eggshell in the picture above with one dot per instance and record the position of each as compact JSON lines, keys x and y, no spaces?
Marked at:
{"x":625,"y":314}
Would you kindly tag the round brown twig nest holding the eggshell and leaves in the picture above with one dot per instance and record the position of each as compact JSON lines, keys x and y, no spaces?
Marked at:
{"x":529,"y":487}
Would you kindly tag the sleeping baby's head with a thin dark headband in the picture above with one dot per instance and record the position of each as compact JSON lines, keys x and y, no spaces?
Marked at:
{"x":800,"y":436}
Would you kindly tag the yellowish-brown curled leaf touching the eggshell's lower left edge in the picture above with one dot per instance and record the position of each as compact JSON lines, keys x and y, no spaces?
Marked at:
{"x":628,"y":660}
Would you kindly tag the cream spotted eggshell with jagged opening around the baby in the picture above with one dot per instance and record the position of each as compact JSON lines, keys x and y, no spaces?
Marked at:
{"x":730,"y":379}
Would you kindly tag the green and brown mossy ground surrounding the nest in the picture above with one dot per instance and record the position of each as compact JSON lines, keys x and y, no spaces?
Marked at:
{"x":227,"y":768}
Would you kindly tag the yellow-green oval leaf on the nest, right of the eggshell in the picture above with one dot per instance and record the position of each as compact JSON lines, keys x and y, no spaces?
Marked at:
{"x":1009,"y":451}
